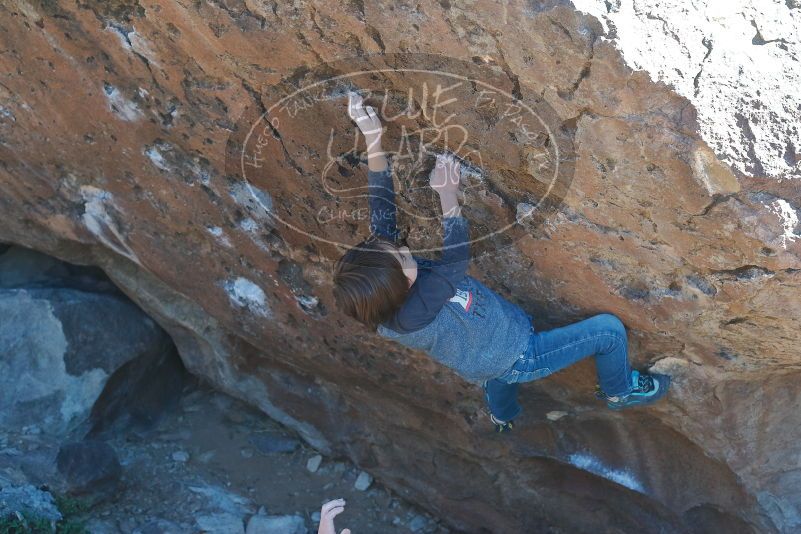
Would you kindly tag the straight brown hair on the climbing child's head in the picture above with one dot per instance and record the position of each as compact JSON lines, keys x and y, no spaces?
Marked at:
{"x":369,"y":283}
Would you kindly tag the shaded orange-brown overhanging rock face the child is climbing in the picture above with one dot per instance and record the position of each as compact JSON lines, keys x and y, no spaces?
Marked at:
{"x":117,"y":122}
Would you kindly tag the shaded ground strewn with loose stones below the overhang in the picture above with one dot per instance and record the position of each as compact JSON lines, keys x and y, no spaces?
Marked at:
{"x":215,"y":465}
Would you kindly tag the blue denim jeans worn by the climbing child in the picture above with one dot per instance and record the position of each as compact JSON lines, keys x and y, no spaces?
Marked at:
{"x":602,"y":335}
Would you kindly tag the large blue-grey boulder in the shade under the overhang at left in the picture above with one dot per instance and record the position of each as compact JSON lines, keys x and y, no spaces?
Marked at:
{"x":73,"y":345}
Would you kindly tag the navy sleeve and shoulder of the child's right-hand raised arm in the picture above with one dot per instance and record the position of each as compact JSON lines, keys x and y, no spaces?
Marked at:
{"x":432,"y":289}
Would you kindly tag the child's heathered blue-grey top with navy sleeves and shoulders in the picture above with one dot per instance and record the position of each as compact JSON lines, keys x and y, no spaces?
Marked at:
{"x":456,"y":319}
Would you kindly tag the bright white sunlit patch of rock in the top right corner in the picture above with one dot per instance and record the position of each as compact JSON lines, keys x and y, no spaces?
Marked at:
{"x":729,"y":60}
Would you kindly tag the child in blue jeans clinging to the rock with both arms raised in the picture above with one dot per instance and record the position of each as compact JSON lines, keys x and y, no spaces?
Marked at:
{"x":436,"y":307}
